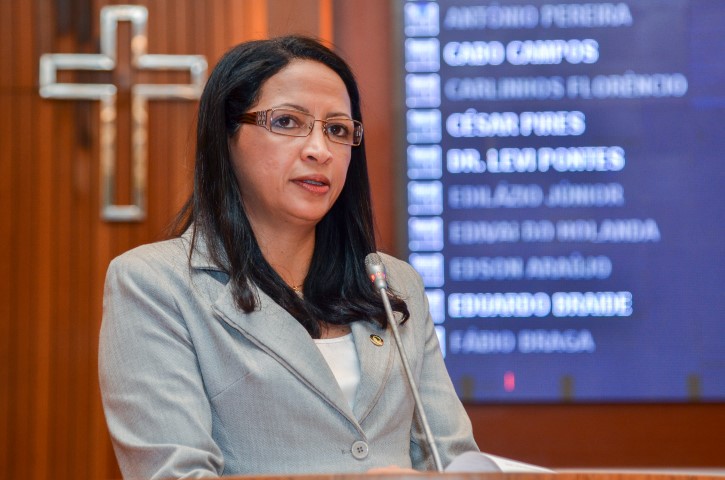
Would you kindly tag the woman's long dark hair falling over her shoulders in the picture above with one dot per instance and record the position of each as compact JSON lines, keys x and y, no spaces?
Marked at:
{"x":336,"y":289}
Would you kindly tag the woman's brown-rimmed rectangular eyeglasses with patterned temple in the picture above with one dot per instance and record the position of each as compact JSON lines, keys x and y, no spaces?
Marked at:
{"x":294,"y":123}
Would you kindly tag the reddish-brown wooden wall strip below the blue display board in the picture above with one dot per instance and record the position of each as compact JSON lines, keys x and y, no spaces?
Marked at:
{"x":624,"y":435}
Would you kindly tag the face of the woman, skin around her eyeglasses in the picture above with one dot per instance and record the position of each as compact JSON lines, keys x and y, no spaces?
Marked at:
{"x":291,"y":181}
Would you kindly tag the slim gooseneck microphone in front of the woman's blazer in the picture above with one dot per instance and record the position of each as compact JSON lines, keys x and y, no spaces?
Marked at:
{"x":376,"y":270}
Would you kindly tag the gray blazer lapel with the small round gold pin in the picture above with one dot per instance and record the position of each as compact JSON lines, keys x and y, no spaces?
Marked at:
{"x":376,"y":363}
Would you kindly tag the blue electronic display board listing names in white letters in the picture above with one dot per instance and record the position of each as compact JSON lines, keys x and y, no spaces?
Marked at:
{"x":566,"y":195}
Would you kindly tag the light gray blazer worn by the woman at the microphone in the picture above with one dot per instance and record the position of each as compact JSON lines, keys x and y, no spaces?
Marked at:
{"x":192,"y":386}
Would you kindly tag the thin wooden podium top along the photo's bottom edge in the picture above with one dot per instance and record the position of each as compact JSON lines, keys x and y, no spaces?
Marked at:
{"x":568,"y":475}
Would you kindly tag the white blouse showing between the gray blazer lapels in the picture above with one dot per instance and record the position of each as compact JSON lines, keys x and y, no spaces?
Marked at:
{"x":341,"y":356}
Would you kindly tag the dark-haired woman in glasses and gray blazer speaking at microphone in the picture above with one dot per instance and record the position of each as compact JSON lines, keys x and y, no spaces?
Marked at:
{"x":253,"y":341}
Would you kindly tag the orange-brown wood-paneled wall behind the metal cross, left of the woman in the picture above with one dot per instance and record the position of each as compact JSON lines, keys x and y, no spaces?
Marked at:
{"x":55,"y":247}
